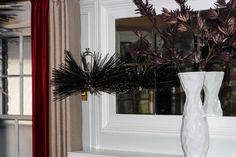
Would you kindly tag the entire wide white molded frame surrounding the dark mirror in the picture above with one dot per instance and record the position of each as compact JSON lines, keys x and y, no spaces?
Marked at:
{"x":104,"y":129}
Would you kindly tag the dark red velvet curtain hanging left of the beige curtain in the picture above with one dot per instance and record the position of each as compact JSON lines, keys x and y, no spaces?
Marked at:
{"x":40,"y":77}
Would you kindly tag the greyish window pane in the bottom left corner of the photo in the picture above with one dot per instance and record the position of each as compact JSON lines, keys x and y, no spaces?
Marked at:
{"x":7,"y":138}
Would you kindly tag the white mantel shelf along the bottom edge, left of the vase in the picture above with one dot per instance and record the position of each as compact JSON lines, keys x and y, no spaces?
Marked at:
{"x":113,"y":153}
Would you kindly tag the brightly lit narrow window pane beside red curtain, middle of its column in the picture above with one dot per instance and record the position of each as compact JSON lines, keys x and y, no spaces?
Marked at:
{"x":27,"y":96}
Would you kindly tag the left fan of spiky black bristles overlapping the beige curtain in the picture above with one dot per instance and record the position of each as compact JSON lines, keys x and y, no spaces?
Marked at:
{"x":69,"y":78}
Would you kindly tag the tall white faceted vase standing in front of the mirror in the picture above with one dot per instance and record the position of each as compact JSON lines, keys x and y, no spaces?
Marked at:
{"x":194,"y":130}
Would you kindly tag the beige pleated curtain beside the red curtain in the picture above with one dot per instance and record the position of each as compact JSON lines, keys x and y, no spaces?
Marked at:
{"x":65,"y":116}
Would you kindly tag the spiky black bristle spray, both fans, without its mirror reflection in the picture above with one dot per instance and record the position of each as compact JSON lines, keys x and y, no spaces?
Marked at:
{"x":108,"y":74}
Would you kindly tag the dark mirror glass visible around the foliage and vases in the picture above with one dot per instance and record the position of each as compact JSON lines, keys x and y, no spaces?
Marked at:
{"x":166,"y":97}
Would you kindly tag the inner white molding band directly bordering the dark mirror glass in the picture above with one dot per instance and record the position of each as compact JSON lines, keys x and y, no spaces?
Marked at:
{"x":126,"y":122}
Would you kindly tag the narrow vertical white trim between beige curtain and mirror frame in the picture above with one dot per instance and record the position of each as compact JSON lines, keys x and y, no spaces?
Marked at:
{"x":89,"y":39}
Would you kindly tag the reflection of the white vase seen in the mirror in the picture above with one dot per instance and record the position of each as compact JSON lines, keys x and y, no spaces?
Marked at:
{"x":212,"y":84}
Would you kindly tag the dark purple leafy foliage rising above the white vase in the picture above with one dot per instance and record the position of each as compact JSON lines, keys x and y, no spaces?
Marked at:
{"x":215,"y":31}
